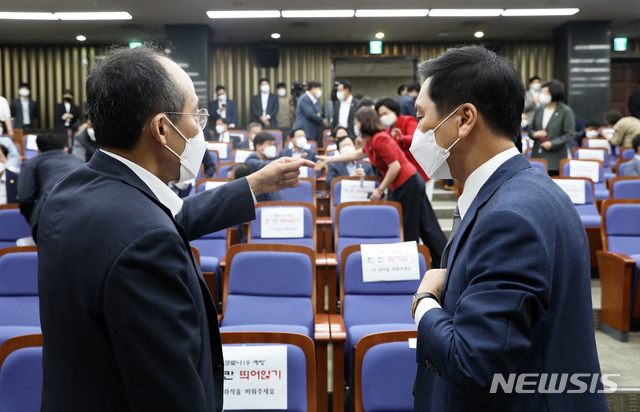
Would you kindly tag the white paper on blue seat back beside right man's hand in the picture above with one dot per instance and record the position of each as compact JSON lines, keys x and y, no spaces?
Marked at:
{"x":390,"y":262}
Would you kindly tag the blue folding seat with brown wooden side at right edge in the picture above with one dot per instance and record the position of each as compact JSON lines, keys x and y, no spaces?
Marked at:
{"x":618,"y":264}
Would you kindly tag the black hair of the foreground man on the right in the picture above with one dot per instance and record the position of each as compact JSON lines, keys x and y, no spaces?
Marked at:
{"x":478,"y":76}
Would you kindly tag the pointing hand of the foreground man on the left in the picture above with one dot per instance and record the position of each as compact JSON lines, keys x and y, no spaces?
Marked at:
{"x":277,"y":175}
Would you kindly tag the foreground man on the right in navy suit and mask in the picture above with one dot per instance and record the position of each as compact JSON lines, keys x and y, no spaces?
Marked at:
{"x":516,"y":292}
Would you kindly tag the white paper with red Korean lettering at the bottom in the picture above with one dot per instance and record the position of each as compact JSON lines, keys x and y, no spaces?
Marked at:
{"x":255,"y":377}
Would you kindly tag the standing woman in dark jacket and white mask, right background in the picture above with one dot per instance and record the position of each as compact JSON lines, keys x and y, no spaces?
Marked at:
{"x":552,"y":127}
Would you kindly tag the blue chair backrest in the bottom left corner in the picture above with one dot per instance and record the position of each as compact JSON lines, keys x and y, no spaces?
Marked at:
{"x":21,"y":374}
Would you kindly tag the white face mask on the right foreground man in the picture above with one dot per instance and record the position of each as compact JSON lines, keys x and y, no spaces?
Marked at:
{"x":431,"y":157}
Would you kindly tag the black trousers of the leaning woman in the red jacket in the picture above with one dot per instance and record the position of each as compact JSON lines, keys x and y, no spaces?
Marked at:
{"x":419,"y":219}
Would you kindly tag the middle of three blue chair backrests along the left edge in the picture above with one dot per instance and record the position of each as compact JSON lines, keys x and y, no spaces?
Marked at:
{"x":19,"y":271}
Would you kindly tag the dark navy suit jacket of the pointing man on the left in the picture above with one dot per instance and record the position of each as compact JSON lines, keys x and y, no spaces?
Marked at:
{"x":128,"y":321}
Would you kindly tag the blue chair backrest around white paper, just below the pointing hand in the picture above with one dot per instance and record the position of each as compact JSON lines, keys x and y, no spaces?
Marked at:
{"x":310,"y":230}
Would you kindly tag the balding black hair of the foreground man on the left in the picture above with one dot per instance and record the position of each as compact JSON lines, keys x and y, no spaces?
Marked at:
{"x":125,"y":90}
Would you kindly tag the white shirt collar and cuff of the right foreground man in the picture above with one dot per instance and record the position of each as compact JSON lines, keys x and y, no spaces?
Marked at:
{"x":472,"y":186}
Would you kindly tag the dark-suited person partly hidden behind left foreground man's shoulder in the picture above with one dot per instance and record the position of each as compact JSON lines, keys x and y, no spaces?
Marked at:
{"x":40,"y":173}
